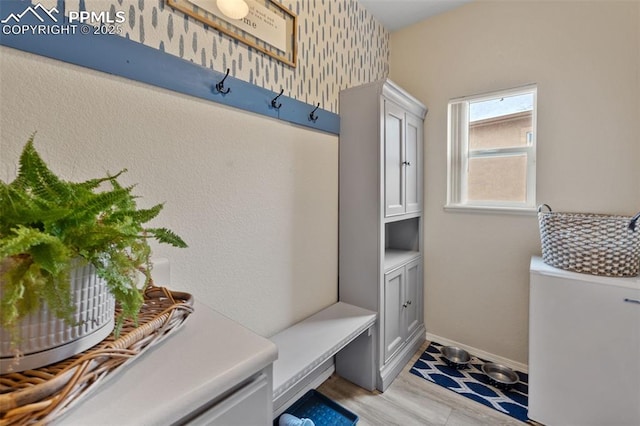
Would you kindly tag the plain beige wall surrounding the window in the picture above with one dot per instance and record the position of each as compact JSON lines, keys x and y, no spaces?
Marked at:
{"x":585,"y":58}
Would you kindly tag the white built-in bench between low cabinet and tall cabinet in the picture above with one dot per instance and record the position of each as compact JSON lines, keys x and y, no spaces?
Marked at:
{"x":306,"y":351}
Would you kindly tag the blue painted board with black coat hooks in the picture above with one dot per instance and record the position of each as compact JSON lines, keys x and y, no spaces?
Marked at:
{"x":123,"y":57}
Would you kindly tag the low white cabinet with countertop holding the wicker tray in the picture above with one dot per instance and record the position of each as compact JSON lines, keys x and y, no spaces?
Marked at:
{"x":212,"y":371}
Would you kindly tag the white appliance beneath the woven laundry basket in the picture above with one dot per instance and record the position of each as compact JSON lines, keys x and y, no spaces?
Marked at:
{"x":584,"y":348}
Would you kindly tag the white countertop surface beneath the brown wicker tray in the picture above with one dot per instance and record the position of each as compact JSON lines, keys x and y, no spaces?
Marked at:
{"x":199,"y":362}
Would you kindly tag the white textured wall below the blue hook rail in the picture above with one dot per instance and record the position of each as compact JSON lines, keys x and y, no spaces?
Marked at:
{"x":255,"y":198}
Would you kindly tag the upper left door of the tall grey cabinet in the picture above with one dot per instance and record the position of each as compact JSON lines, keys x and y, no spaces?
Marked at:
{"x":394,"y":179}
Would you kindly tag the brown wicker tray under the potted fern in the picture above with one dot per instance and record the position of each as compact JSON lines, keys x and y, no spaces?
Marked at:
{"x":39,"y":396}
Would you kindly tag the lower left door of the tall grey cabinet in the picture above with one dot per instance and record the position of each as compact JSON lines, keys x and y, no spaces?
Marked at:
{"x":393,"y":321}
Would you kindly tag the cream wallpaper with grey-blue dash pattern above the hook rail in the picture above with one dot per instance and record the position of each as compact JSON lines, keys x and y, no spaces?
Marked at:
{"x":340,"y":45}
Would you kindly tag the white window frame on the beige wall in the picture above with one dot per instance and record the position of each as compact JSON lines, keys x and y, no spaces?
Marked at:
{"x":458,"y":155}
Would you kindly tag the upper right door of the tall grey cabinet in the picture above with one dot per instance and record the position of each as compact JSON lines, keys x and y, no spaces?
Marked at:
{"x":413,"y":164}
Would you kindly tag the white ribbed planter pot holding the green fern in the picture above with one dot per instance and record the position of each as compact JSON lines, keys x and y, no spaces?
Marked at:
{"x":46,"y":339}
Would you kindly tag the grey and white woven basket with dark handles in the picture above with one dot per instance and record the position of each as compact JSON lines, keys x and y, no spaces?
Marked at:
{"x":595,"y":244}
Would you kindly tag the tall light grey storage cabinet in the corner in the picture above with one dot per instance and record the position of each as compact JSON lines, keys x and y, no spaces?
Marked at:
{"x":380,"y":256}
